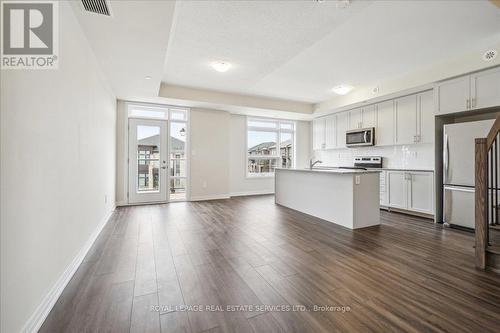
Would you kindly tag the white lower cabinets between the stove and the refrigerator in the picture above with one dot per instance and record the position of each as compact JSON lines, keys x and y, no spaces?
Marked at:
{"x":410,"y":190}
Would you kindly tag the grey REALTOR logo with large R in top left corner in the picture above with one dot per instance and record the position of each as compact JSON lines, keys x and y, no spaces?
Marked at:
{"x":29,"y":35}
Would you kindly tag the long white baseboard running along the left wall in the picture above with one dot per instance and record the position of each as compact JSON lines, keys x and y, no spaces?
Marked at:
{"x":42,"y":311}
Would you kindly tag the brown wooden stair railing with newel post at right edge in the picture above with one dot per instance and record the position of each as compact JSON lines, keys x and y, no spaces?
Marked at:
{"x":487,"y":224}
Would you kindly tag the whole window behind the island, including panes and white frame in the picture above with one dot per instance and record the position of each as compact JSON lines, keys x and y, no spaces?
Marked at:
{"x":270,"y":144}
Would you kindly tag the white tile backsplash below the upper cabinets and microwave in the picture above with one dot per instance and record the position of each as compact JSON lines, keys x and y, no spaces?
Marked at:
{"x":419,"y":156}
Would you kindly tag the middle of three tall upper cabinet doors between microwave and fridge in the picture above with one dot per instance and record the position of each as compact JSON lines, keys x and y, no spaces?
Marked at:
{"x":406,"y":119}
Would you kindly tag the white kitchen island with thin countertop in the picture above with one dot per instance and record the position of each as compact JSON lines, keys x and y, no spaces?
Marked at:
{"x":348,"y":197}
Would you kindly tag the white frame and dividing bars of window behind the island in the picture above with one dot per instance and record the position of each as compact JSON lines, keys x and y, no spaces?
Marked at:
{"x":278,"y":130}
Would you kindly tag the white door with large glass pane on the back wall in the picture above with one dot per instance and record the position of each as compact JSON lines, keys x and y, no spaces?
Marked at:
{"x":148,"y":160}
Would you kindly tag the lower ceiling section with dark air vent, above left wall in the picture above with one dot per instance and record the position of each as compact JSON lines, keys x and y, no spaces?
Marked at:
{"x":130,"y":45}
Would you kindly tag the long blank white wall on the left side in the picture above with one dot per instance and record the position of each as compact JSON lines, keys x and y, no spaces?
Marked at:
{"x":57,"y":167}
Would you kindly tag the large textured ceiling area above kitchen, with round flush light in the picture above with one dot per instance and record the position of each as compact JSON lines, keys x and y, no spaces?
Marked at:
{"x":299,"y":50}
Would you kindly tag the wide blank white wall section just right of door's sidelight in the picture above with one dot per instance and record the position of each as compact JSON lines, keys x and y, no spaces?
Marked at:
{"x":209,"y":170}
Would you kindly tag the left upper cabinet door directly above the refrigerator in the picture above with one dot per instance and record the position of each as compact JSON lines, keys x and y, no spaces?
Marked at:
{"x":453,"y":95}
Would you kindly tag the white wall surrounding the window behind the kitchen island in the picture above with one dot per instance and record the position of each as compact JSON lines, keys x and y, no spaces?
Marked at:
{"x":239,"y":183}
